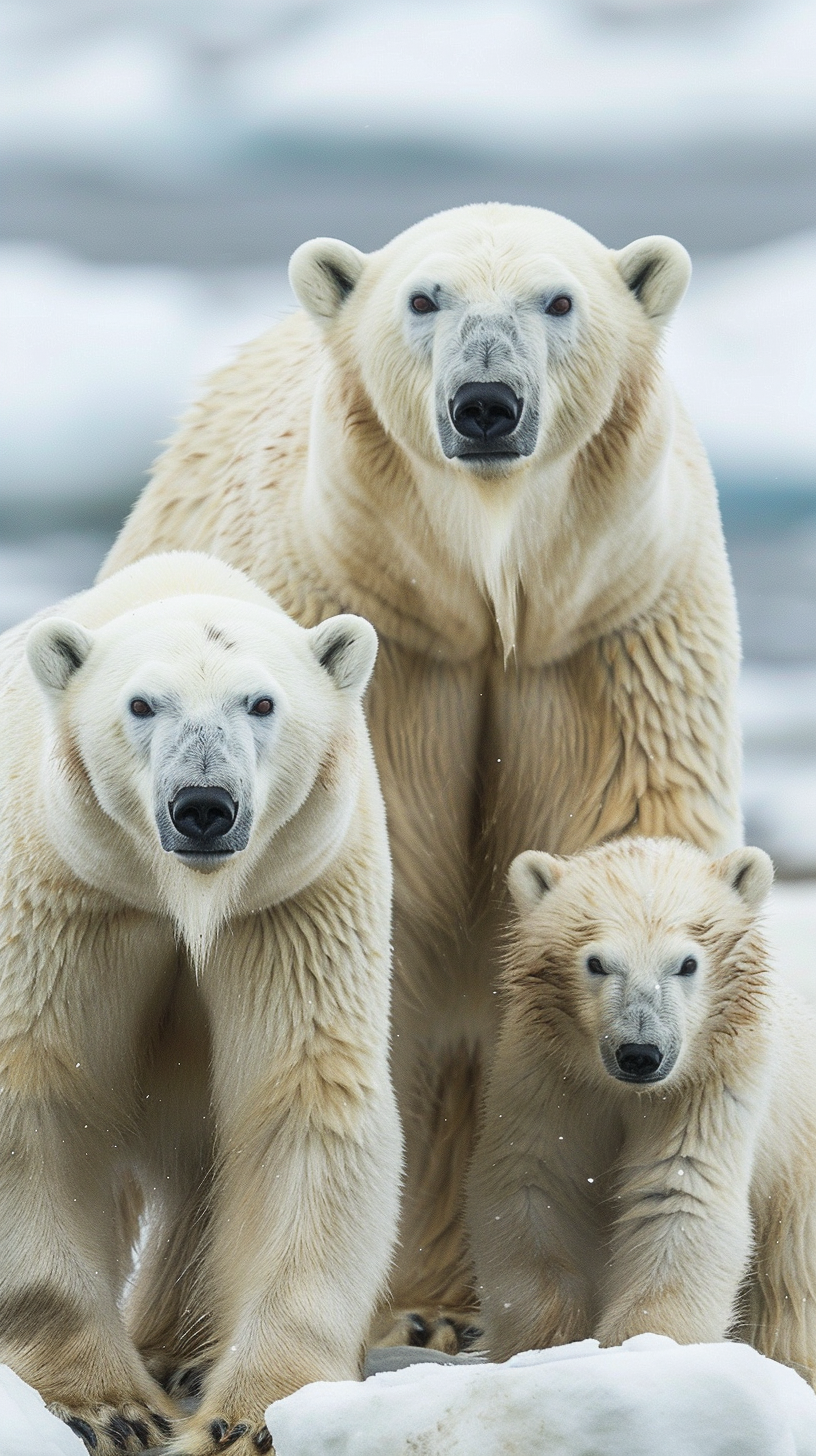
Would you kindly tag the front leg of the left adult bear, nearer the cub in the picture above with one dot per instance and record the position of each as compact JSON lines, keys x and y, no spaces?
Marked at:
{"x":305,"y":1200}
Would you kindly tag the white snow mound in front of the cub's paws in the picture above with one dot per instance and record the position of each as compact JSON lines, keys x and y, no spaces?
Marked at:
{"x":651,"y":1396}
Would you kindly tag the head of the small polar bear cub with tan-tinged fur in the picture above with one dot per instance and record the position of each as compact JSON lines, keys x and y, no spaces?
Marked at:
{"x":642,"y":960}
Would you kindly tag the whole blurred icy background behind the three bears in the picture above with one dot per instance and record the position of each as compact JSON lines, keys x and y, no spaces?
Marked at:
{"x":160,"y":161}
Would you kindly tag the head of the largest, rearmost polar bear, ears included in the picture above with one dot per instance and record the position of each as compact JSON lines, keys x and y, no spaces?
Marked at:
{"x":490,"y":337}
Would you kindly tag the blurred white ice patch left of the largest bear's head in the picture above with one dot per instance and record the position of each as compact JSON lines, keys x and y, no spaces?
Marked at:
{"x":98,"y":362}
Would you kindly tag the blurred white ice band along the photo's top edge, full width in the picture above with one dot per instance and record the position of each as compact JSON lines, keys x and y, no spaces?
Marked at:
{"x":160,"y":90}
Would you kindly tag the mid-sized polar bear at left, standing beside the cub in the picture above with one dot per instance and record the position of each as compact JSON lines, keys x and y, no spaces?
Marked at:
{"x":195,"y":1005}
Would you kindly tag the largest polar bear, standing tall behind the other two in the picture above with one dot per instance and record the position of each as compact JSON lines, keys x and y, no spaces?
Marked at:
{"x":468,"y":439}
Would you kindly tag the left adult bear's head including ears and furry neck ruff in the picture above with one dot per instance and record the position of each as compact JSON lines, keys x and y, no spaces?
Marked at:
{"x":200,"y":737}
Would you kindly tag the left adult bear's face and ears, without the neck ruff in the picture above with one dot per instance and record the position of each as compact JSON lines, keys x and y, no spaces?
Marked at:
{"x":202,"y":723}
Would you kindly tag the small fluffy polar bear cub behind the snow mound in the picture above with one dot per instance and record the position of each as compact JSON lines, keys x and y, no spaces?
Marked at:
{"x":649,"y":1151}
